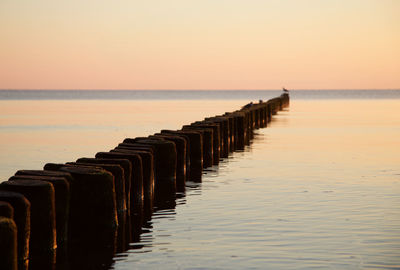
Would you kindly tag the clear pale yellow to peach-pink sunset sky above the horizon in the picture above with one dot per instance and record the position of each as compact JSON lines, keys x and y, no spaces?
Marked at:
{"x":208,"y":44}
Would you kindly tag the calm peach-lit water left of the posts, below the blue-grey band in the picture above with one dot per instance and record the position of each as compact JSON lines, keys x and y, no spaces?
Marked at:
{"x":34,"y":132}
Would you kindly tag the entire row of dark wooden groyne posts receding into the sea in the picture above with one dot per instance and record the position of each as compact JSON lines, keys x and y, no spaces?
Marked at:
{"x":77,"y":215}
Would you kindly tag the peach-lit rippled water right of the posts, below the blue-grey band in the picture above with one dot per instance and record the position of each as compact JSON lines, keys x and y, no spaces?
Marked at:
{"x":319,"y":188}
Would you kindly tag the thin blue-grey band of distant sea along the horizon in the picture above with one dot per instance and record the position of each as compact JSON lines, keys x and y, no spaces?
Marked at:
{"x":254,"y":95}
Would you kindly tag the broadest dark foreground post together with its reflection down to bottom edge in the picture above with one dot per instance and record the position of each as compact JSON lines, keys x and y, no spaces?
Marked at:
{"x":93,"y":215}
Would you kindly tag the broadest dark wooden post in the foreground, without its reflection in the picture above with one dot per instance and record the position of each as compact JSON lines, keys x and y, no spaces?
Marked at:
{"x":93,"y":211}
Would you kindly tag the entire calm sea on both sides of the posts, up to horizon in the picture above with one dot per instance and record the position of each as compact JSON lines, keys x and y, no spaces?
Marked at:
{"x":319,"y":188}
